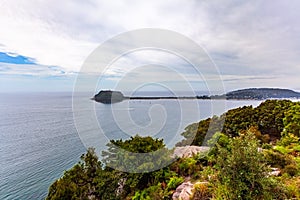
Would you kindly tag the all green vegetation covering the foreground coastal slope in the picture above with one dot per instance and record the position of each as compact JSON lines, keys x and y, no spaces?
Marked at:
{"x":251,"y":143}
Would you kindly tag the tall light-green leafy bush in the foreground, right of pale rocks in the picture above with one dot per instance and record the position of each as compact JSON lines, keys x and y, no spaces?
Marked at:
{"x":242,"y":171}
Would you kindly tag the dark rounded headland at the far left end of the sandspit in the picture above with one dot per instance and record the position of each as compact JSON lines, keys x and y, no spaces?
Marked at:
{"x":108,"y":96}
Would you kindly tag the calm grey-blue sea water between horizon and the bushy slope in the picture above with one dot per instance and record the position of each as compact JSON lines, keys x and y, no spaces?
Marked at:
{"x":39,"y":139}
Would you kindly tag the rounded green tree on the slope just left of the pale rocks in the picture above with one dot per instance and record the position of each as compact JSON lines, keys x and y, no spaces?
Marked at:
{"x":140,"y":155}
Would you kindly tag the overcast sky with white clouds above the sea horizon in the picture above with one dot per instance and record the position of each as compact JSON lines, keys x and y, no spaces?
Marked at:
{"x":45,"y":43}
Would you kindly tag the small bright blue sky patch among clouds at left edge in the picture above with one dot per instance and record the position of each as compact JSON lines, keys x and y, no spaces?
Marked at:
{"x":15,"y":59}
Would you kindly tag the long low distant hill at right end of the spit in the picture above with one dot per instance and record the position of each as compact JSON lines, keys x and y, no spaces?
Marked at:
{"x":262,"y":93}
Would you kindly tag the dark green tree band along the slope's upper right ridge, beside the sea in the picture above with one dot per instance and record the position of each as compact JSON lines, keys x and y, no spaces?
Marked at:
{"x":269,"y":119}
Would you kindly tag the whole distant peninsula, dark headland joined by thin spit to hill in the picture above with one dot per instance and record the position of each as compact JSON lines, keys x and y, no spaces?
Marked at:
{"x":108,"y":96}
